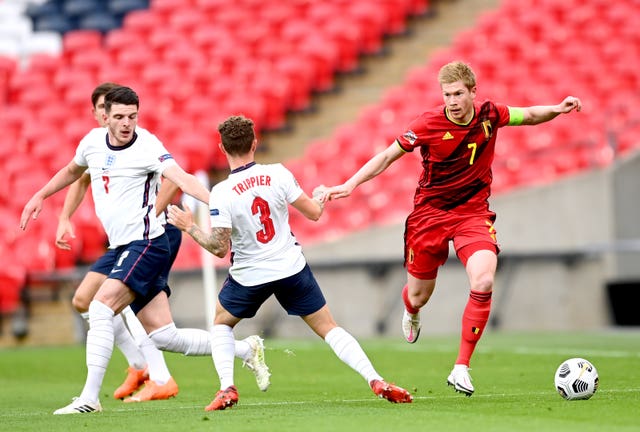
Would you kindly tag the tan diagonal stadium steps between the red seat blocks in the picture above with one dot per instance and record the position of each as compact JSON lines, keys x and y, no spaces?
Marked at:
{"x":425,"y":35}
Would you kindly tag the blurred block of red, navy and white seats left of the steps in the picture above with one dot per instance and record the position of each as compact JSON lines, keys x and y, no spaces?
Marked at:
{"x":188,"y":60}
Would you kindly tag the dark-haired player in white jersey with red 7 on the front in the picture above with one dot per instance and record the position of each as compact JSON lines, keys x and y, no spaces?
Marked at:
{"x":125,"y":164}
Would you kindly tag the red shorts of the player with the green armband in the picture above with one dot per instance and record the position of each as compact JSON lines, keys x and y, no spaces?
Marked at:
{"x":427,"y":234}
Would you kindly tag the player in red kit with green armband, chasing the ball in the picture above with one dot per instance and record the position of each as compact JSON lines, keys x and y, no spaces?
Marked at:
{"x":457,"y":142}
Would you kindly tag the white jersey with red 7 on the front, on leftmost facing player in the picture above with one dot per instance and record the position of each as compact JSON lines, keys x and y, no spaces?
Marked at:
{"x":124,"y":183}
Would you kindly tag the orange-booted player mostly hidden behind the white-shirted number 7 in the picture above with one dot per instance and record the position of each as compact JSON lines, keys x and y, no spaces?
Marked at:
{"x":147,"y":370}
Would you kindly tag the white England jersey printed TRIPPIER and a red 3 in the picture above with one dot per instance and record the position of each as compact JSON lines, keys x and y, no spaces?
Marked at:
{"x":253,"y":201}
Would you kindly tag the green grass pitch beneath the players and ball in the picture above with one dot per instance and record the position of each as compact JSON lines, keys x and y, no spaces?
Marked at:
{"x":311,"y":390}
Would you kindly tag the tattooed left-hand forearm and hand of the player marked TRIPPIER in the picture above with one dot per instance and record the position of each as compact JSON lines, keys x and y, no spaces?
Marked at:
{"x":216,"y":242}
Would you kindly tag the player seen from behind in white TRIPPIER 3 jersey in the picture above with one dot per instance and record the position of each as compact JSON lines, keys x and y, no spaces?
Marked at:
{"x":250,"y":216}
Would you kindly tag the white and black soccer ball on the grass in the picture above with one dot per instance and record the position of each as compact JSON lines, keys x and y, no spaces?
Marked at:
{"x":576,"y":378}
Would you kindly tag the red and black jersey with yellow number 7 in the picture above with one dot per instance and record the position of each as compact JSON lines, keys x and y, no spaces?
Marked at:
{"x":456,"y":158}
